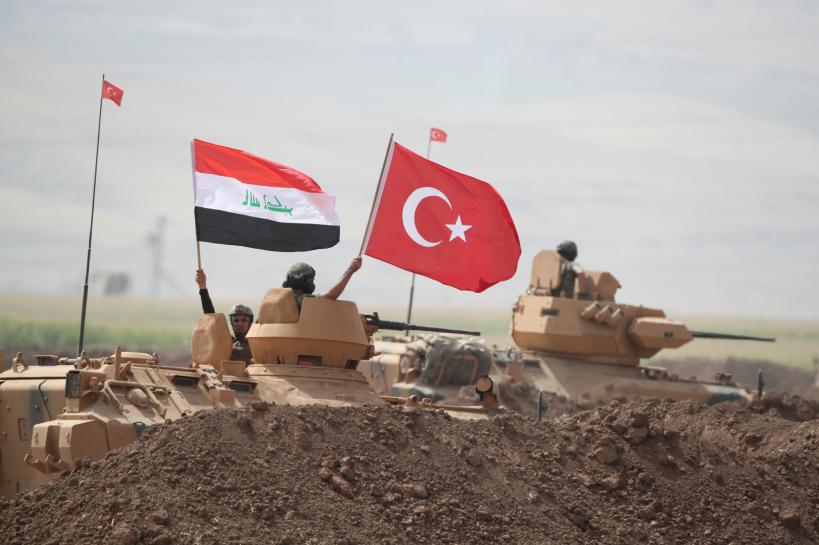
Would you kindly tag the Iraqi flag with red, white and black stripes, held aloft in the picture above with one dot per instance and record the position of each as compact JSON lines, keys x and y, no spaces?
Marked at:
{"x":244,"y":200}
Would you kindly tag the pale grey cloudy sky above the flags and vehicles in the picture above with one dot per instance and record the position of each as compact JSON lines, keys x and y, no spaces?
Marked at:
{"x":676,"y":142}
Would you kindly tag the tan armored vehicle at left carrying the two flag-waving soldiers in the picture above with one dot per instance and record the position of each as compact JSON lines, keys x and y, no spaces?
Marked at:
{"x":58,"y":411}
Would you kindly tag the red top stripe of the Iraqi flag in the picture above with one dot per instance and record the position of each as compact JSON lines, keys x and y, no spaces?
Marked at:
{"x":248,"y":168}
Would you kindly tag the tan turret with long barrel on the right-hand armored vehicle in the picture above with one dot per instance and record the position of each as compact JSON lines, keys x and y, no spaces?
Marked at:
{"x":591,"y":325}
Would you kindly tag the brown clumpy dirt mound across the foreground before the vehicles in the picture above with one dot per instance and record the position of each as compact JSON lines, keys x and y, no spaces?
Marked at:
{"x":649,"y":471}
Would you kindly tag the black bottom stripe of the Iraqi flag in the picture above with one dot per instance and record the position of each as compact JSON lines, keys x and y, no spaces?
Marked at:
{"x":222,"y":227}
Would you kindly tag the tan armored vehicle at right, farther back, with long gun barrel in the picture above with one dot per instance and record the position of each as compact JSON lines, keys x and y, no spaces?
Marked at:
{"x":588,"y":346}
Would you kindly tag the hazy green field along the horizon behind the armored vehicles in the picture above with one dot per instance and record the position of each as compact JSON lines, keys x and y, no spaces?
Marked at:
{"x":37,"y":322}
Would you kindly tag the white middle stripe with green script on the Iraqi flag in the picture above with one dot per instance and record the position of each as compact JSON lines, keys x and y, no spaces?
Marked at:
{"x":282,"y":204}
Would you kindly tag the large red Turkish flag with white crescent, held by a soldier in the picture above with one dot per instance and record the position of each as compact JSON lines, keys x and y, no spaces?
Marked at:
{"x":441,"y":224}
